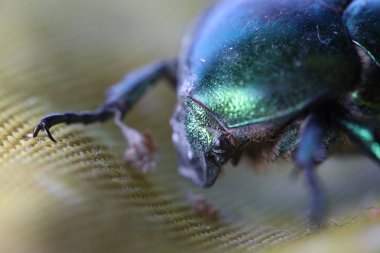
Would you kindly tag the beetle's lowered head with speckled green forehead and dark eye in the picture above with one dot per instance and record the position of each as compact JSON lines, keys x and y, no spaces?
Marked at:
{"x":202,"y":143}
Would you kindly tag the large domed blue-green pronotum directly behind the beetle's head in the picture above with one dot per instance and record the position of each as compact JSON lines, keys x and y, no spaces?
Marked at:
{"x":252,"y":61}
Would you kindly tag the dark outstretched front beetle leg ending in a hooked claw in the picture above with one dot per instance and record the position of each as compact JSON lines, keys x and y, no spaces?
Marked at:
{"x":120,"y":97}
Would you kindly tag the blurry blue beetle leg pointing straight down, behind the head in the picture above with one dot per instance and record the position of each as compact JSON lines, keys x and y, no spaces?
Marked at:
{"x":311,"y":147}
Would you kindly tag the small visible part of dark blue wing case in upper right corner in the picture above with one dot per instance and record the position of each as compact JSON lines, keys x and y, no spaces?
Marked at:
{"x":362,"y":18}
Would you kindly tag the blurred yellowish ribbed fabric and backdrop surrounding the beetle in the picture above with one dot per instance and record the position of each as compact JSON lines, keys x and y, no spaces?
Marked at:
{"x":79,"y":196}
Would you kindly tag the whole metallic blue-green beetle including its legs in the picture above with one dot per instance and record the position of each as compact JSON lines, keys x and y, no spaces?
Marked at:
{"x":283,"y":78}
